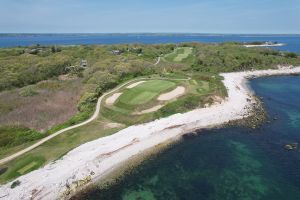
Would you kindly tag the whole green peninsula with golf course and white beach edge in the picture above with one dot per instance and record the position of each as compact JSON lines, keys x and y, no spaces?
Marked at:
{"x":130,"y":99}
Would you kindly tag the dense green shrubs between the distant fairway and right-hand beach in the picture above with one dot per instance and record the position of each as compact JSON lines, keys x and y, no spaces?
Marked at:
{"x":229,"y":57}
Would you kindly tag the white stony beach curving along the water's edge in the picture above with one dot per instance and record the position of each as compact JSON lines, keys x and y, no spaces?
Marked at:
{"x":93,"y":161}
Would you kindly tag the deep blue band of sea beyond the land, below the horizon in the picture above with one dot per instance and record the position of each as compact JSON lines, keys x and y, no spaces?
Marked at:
{"x":11,"y":40}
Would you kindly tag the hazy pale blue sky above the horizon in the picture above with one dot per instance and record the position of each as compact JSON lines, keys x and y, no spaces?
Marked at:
{"x":98,"y":16}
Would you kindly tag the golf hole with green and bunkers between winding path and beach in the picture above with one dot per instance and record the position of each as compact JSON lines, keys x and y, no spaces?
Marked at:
{"x":124,"y":109}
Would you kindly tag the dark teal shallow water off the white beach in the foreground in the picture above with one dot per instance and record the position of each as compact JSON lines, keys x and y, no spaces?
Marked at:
{"x":230,"y":163}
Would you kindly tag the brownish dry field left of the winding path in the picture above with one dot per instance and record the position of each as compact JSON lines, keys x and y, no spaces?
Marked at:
{"x":54,"y":102}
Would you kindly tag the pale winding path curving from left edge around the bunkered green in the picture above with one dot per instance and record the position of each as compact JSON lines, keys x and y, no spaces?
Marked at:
{"x":95,"y":115}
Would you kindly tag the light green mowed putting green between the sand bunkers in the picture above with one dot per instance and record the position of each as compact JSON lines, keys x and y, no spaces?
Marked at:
{"x":145,"y":92}
